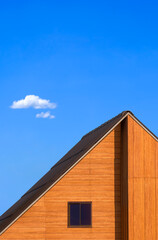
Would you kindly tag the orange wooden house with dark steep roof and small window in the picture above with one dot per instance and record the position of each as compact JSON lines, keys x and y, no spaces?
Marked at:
{"x":105,"y":187}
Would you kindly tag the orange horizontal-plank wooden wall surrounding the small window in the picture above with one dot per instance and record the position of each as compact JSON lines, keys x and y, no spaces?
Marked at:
{"x":95,"y":178}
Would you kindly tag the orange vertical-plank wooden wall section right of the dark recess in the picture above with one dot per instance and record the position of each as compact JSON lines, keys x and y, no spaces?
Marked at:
{"x":142,"y":183}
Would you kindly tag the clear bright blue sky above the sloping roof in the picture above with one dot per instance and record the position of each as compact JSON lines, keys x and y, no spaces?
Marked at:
{"x":93,"y":59}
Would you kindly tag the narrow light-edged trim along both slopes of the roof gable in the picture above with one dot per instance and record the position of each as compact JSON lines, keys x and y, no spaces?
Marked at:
{"x":124,"y":115}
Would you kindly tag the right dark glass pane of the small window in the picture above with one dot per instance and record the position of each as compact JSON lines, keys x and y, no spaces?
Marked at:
{"x":85,"y":214}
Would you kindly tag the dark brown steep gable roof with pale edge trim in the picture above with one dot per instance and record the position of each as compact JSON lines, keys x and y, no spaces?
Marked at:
{"x":65,"y":164}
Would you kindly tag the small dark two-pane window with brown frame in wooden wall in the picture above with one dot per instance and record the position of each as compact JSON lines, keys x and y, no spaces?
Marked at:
{"x":79,"y":214}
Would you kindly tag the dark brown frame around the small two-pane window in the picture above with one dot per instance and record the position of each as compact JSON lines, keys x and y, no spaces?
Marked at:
{"x":78,"y":226}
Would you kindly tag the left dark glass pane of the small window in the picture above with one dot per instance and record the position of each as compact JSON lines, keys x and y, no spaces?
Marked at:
{"x":74,"y":214}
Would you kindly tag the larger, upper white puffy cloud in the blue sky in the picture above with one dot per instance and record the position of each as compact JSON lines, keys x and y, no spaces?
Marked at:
{"x":32,"y":101}
